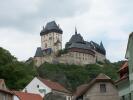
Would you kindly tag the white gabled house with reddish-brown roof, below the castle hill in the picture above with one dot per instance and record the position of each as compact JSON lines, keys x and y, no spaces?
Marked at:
{"x":42,"y":87}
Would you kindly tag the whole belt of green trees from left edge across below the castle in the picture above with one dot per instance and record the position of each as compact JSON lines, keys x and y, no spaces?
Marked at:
{"x":18,"y":74}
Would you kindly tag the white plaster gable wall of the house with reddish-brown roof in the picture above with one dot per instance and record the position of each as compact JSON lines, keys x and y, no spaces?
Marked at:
{"x":32,"y":87}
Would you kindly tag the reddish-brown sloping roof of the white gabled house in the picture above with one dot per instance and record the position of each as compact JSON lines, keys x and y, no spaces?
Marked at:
{"x":54,"y":85}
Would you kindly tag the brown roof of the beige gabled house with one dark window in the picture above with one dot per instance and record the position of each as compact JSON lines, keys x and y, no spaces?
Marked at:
{"x":84,"y":88}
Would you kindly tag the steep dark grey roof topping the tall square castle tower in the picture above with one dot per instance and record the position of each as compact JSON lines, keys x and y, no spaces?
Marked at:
{"x":51,"y":27}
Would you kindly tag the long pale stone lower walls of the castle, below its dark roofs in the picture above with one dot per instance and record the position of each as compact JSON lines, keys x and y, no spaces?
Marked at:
{"x":70,"y":58}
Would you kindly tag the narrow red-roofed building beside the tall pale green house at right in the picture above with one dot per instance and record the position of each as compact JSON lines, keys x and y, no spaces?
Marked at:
{"x":123,"y":82}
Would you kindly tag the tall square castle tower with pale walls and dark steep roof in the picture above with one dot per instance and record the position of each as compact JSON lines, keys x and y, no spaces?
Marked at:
{"x":51,"y":37}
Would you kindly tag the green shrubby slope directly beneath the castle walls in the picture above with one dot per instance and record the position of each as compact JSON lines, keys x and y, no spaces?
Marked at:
{"x":72,"y":76}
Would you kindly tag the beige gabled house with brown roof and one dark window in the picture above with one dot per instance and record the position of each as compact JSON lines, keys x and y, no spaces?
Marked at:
{"x":100,"y":88}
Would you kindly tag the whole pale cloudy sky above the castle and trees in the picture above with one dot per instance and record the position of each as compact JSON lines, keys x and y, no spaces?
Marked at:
{"x":109,"y":21}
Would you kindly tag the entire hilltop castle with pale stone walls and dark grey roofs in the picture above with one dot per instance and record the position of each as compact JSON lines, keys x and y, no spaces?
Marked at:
{"x":77,"y":50}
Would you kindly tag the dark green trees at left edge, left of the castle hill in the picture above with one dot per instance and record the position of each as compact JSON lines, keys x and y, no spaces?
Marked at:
{"x":16,"y":74}
